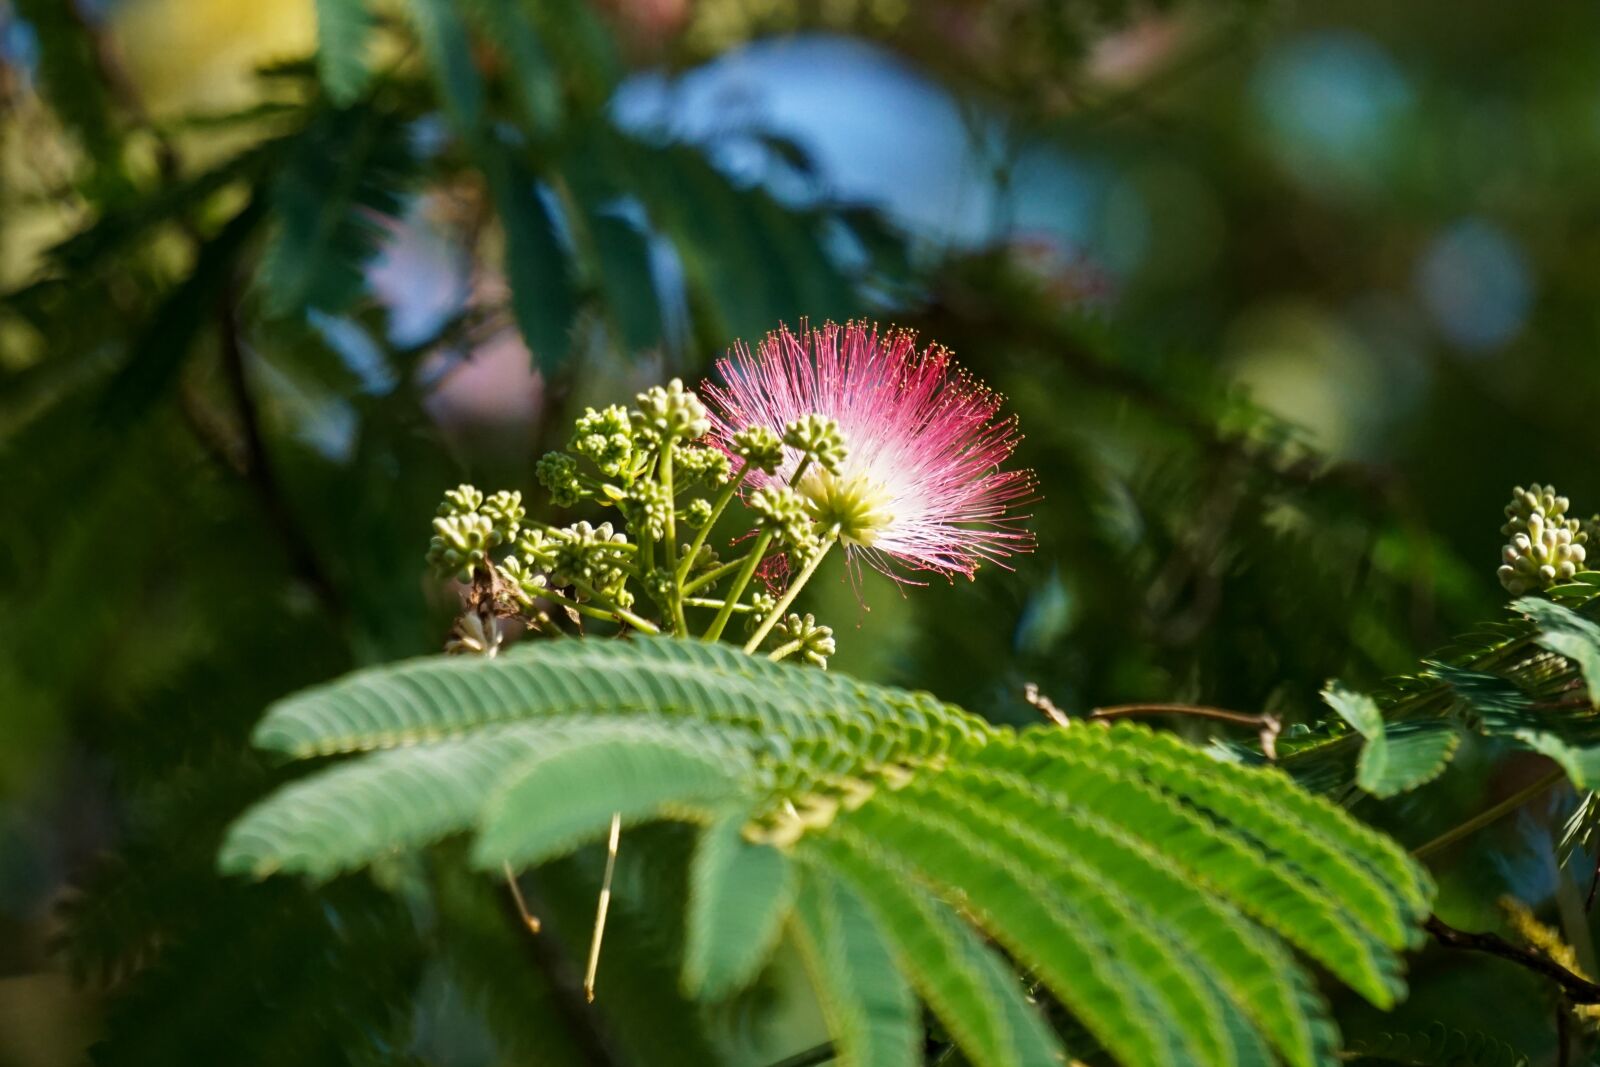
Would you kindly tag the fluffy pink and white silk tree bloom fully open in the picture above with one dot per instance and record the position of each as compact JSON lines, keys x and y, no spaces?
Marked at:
{"x":919,"y":484}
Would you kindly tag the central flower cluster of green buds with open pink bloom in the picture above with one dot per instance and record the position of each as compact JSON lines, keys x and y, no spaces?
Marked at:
{"x":839,"y":436}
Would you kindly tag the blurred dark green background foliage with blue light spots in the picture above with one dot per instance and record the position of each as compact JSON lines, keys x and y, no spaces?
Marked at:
{"x":1287,"y":297}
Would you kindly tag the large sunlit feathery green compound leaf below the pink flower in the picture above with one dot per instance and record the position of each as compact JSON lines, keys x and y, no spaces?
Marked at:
{"x":1159,"y":895}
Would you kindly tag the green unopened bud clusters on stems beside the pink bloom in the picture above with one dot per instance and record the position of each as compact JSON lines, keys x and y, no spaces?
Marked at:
{"x":666,"y":489}
